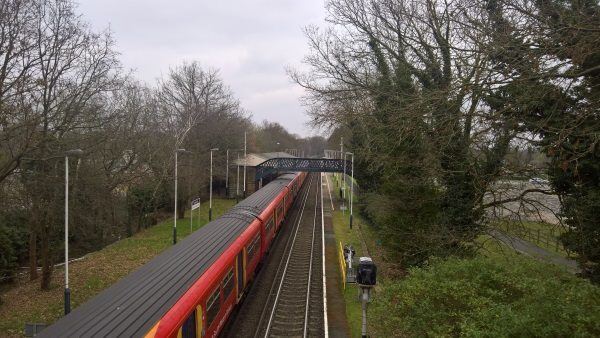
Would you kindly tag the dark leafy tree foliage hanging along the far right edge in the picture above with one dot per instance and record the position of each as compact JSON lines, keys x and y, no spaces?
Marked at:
{"x":568,"y":123}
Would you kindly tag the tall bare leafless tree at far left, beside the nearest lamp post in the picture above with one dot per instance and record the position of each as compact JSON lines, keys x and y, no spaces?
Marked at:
{"x":70,"y":67}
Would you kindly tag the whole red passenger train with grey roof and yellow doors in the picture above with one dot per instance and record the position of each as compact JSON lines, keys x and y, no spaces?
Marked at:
{"x":190,"y":289}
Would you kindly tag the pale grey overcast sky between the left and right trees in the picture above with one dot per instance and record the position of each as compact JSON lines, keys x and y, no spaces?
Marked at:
{"x":250,"y":42}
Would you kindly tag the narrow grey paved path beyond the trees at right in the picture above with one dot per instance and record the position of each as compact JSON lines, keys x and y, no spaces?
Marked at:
{"x":533,"y":250}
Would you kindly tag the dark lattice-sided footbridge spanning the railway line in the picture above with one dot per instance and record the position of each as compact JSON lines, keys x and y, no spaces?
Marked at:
{"x":274,"y":165}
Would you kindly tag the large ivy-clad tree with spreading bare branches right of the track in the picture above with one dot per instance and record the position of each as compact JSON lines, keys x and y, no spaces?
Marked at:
{"x":417,"y":83}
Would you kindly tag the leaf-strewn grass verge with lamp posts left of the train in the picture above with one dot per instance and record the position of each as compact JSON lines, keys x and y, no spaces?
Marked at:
{"x":26,"y":303}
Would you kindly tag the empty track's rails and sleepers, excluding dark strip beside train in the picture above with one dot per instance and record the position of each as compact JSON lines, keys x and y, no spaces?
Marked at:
{"x":294,"y":304}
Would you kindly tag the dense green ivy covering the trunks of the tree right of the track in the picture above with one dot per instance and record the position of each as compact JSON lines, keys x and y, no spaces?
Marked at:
{"x":422,"y":191}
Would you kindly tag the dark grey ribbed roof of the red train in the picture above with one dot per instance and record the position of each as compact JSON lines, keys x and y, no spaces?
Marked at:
{"x":135,"y":303}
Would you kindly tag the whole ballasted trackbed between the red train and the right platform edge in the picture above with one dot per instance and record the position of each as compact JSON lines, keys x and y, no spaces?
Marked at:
{"x":286,"y":298}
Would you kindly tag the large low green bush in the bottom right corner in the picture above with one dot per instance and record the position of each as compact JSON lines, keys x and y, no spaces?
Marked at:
{"x":486,"y":297}
